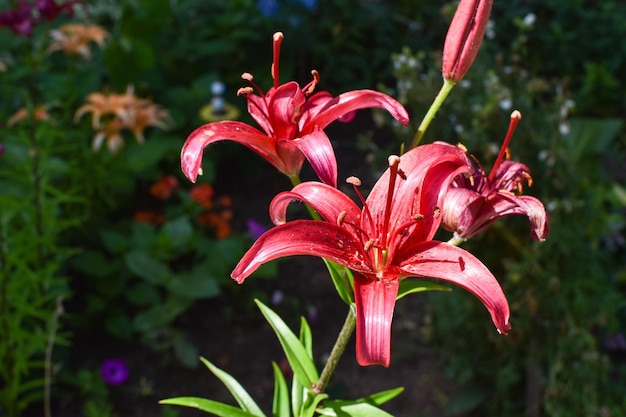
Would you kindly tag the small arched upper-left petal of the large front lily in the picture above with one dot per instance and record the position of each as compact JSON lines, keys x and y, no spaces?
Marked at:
{"x":327,"y":201}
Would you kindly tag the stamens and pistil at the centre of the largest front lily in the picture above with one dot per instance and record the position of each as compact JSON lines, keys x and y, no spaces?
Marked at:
{"x":378,"y":234}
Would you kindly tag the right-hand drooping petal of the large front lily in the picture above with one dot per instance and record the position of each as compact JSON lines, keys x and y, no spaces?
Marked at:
{"x":455,"y":265}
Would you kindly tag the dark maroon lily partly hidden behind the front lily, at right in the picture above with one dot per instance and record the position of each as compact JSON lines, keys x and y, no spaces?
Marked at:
{"x":475,"y":201}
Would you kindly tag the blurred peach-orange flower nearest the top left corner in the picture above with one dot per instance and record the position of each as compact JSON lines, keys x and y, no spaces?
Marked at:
{"x":74,"y":39}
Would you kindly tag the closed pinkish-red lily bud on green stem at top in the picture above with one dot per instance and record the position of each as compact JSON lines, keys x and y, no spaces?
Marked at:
{"x":464,"y":37}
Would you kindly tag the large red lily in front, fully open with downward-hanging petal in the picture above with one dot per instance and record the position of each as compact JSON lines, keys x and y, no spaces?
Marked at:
{"x":388,"y":240}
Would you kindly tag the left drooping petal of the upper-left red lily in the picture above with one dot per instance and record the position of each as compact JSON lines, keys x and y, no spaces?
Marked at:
{"x":191,"y":153}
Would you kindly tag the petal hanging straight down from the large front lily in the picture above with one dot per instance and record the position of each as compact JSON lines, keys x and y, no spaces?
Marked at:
{"x":375,"y":301}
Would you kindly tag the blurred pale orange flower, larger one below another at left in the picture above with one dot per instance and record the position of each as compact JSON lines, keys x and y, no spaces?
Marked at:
{"x":122,"y":111}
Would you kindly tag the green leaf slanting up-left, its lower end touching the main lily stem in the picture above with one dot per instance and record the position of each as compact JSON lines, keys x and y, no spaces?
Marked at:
{"x":299,"y":360}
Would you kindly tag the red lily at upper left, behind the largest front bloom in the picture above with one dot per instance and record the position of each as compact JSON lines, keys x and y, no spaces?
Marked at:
{"x":291,"y":120}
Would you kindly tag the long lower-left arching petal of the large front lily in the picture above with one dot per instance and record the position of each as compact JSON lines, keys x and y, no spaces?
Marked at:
{"x":303,"y":237}
